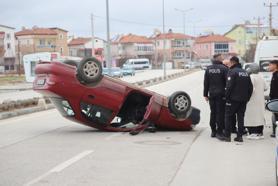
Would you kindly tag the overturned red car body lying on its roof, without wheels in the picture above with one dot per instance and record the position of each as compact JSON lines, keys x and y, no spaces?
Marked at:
{"x":97,"y":105}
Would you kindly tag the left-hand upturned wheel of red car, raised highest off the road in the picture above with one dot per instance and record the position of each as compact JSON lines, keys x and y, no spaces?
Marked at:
{"x":89,"y":70}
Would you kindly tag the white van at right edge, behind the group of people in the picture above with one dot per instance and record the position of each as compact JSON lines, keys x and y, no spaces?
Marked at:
{"x":267,"y":50}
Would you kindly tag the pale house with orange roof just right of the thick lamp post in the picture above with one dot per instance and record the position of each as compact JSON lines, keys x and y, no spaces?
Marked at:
{"x":132,"y":46}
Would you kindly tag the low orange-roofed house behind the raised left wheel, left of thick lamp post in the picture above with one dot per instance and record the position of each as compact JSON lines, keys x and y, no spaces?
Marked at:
{"x":82,"y":47}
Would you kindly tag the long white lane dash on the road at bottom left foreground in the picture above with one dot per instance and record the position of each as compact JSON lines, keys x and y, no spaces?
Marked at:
{"x":60,"y":167}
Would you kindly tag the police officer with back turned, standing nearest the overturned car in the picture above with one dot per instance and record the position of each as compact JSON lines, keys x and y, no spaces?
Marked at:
{"x":214,"y":93}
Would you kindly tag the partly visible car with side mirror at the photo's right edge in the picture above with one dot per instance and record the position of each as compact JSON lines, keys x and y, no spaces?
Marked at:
{"x":272,"y":106}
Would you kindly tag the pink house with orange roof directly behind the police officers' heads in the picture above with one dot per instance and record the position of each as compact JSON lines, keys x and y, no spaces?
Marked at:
{"x":206,"y":46}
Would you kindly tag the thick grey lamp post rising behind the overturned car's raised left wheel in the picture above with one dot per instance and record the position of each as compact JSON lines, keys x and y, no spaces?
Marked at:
{"x":108,"y":55}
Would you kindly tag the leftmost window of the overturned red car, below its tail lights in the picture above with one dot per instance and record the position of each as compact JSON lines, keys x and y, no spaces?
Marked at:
{"x":63,"y":106}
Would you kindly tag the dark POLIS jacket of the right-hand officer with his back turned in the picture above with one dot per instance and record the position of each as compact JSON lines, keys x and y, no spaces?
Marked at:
{"x":239,"y":86}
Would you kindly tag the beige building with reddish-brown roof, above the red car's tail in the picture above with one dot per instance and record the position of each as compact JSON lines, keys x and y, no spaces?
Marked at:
{"x":42,"y":40}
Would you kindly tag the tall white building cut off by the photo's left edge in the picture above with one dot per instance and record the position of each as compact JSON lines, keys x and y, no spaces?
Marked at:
{"x":9,"y":56}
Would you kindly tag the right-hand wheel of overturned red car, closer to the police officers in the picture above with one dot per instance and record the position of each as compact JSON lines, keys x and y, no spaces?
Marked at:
{"x":179,"y":104}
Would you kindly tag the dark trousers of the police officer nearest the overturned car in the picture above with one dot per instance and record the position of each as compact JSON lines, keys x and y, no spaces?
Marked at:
{"x":217,"y":113}
